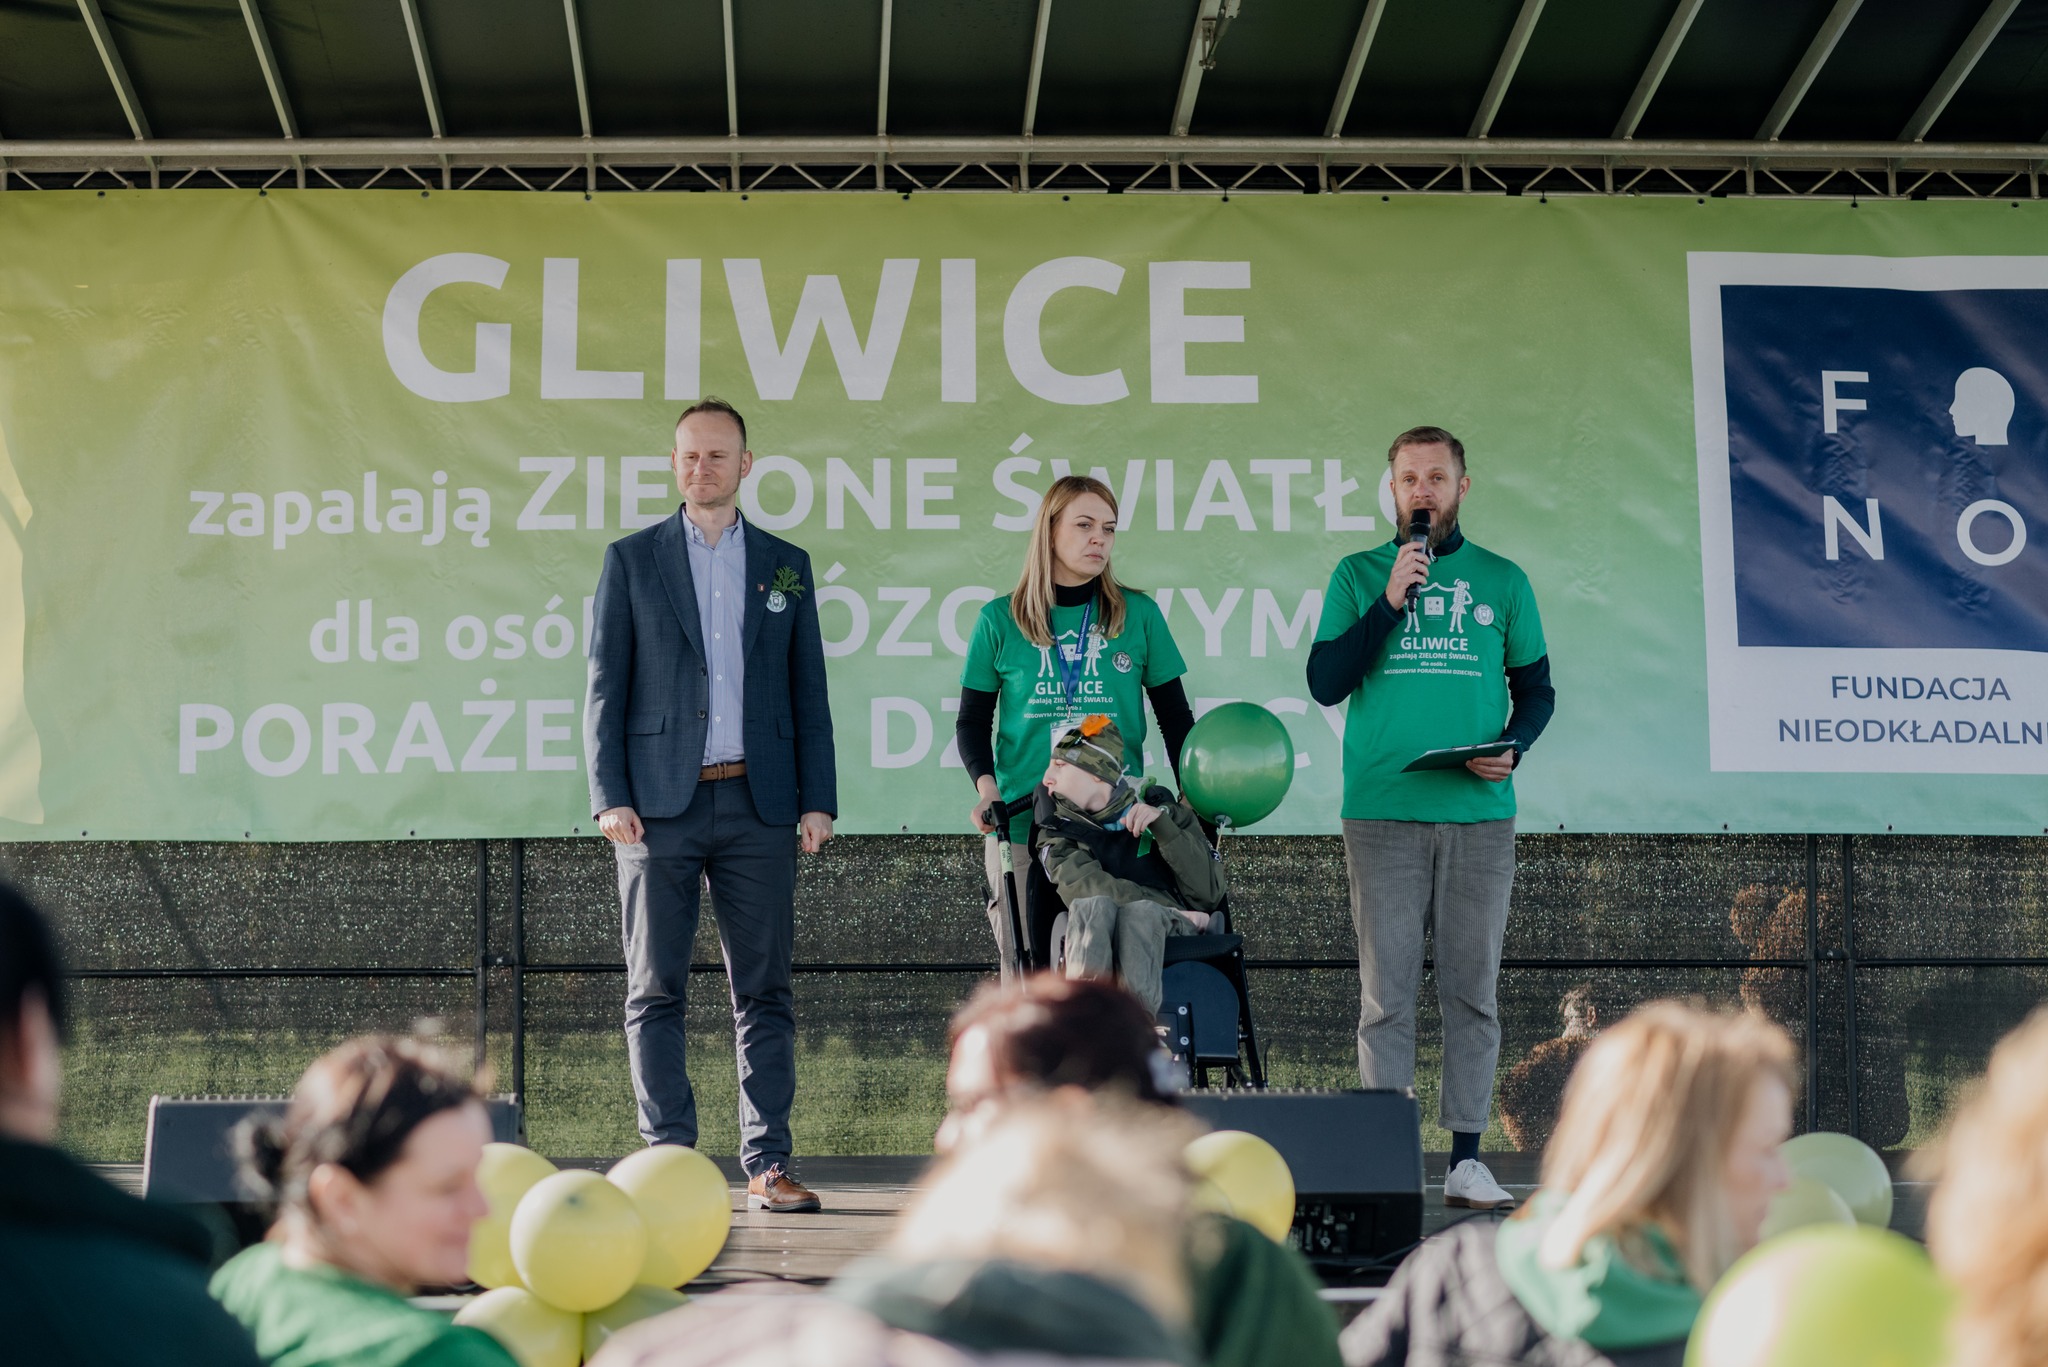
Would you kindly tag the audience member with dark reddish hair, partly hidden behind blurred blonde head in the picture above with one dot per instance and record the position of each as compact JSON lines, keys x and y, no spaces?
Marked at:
{"x":1254,"y":1302}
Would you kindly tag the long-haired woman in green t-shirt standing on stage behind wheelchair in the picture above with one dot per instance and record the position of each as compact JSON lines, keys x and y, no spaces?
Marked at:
{"x":1068,"y":643}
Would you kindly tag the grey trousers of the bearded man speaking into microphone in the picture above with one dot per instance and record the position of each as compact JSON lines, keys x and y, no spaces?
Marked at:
{"x":1451,"y":880}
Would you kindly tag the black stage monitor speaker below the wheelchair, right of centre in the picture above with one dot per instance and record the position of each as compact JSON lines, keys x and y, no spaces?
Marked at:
{"x":1357,"y":1163}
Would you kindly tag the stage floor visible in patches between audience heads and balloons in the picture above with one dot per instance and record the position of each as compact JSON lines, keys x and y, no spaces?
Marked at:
{"x":863,"y":1196}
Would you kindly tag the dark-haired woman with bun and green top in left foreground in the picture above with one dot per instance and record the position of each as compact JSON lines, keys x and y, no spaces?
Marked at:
{"x":374,"y":1175}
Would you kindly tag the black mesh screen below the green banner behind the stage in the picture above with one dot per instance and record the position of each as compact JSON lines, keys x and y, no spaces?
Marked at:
{"x":1895,"y":962}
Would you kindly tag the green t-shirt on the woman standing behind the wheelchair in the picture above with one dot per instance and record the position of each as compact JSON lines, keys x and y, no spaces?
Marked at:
{"x":1109,"y":675}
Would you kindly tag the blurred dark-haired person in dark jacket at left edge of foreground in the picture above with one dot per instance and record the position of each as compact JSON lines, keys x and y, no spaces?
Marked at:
{"x":89,"y":1276}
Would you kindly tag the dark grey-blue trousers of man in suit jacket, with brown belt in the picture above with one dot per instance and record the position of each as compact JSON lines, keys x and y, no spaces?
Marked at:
{"x":753,"y":874}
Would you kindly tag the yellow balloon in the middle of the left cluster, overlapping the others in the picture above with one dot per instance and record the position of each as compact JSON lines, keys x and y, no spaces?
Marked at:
{"x":577,"y":1241}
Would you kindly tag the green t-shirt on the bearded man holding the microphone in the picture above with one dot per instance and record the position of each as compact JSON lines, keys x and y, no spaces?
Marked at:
{"x":1441,"y":681}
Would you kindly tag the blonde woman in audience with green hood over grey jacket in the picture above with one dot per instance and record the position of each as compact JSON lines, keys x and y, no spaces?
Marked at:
{"x":1658,"y":1177}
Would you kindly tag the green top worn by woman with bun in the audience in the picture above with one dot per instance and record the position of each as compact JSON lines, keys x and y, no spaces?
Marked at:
{"x":331,"y":1319}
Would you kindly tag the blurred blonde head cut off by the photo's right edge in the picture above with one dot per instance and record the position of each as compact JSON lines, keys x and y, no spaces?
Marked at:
{"x":1988,"y":1225}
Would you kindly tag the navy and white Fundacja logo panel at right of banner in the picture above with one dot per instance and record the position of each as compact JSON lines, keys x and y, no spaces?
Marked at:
{"x":1873,"y":444}
